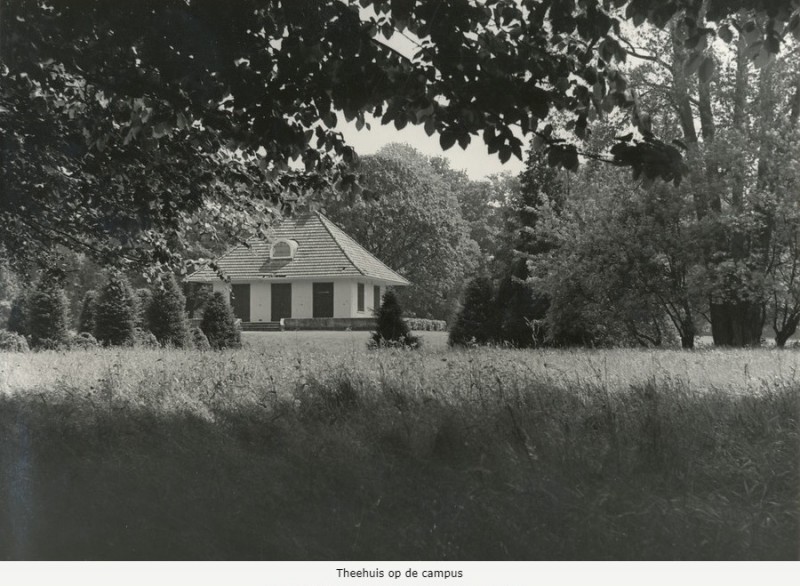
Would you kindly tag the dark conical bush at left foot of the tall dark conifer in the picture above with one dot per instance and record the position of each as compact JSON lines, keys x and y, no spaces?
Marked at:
{"x":476,"y":323}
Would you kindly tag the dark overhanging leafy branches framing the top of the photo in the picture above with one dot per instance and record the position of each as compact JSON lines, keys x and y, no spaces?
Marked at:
{"x":123,"y":121}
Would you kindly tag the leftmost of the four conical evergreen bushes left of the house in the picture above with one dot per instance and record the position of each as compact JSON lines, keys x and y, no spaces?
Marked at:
{"x":47,"y":315}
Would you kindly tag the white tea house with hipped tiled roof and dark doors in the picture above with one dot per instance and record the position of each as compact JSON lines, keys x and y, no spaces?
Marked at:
{"x":310,"y":274}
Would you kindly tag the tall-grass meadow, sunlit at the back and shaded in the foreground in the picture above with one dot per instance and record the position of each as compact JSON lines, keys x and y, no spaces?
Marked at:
{"x":309,"y":446}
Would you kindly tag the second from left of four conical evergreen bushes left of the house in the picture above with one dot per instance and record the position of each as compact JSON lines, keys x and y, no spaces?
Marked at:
{"x":114,"y":313}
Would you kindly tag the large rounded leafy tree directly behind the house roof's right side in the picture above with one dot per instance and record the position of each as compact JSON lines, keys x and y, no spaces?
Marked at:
{"x":414,"y":225}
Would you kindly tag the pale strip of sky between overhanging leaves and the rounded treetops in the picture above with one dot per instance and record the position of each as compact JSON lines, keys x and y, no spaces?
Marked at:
{"x":475,"y":160}
